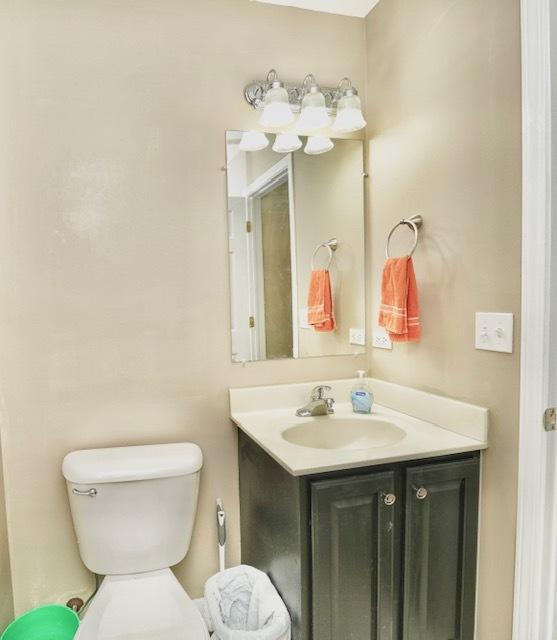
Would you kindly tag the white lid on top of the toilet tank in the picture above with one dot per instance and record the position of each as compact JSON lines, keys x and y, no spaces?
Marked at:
{"x":125,"y":464}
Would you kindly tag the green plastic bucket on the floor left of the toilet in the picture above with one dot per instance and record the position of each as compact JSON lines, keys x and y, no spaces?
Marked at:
{"x":49,"y":622}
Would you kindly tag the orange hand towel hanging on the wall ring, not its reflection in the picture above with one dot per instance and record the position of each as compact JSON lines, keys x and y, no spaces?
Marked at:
{"x":400,"y":308}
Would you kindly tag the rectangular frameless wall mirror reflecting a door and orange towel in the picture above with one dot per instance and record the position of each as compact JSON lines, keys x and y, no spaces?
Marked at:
{"x":290,"y":215}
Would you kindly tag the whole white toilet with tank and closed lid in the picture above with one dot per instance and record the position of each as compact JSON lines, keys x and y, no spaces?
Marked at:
{"x":133,"y":510}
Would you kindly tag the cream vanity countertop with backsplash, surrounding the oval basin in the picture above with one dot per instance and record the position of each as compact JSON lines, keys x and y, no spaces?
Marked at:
{"x":434,"y":425}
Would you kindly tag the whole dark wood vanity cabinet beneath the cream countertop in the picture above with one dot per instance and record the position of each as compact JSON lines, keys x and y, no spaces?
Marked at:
{"x":379,"y":553}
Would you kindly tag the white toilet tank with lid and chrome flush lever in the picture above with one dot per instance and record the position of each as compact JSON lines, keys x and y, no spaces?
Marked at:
{"x":133,"y":508}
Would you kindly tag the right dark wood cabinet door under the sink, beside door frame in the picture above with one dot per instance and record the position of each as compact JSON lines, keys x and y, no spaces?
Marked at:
{"x":441,"y":531}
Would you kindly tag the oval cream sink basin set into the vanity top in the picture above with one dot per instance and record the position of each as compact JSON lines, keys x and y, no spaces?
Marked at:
{"x":327,"y":432}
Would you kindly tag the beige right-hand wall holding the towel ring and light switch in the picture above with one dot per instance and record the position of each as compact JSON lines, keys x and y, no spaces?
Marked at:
{"x":444,"y":140}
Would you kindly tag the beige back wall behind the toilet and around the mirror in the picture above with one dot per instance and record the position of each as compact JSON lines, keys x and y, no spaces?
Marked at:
{"x":114,"y":318}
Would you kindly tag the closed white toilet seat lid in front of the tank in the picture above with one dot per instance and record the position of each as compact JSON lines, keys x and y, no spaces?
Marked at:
{"x":142,"y":606}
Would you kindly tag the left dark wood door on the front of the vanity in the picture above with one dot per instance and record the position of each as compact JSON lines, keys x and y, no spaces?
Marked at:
{"x":355,"y":542}
